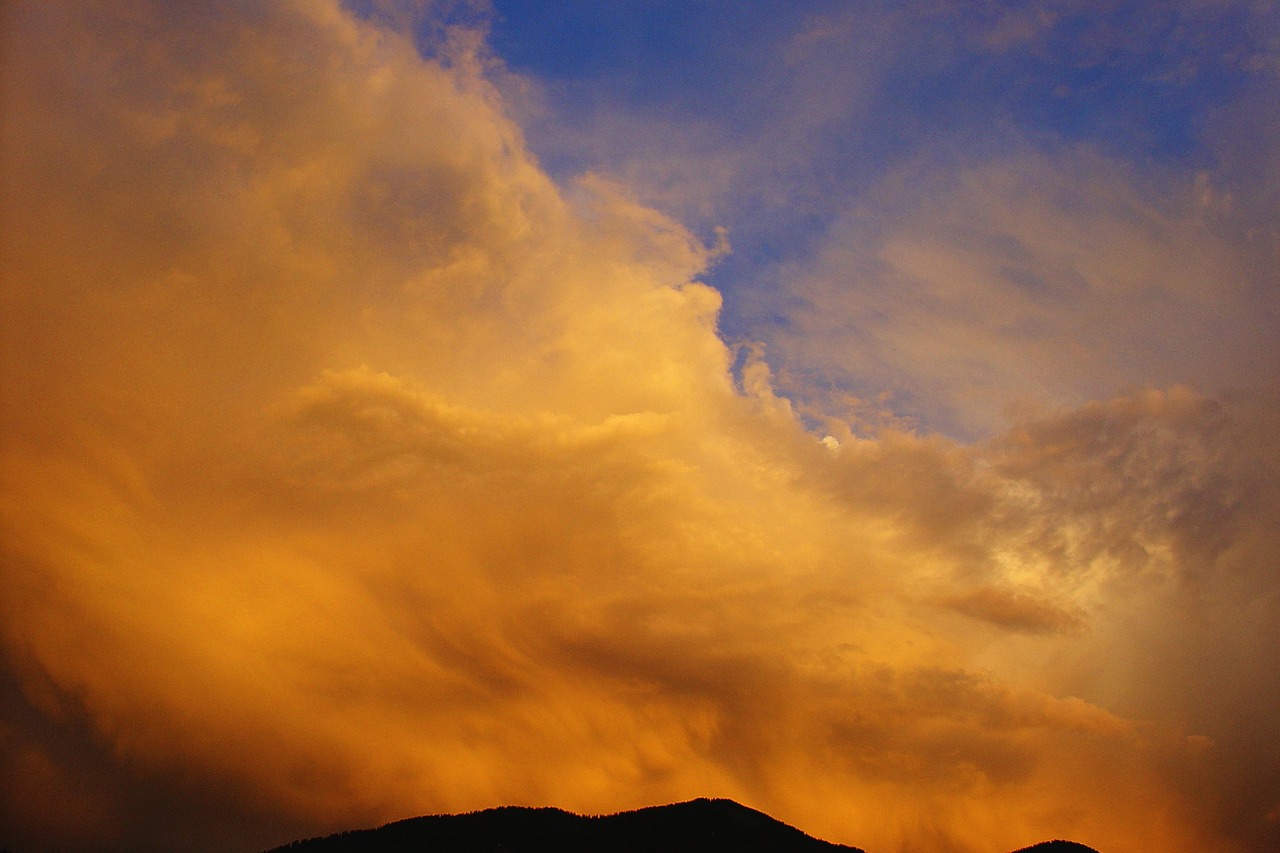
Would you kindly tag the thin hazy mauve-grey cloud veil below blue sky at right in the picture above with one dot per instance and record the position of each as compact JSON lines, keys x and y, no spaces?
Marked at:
{"x":1034,"y":279}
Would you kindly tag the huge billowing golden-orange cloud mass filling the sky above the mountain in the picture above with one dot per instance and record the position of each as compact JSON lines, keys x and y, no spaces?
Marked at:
{"x":354,"y":469}
